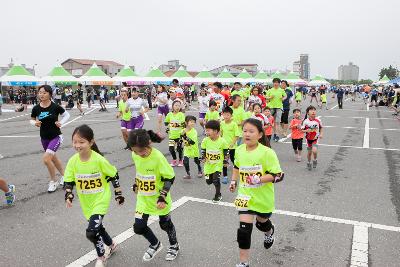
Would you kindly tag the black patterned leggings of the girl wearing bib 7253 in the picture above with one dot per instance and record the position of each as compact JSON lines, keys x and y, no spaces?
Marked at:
{"x":97,"y":234}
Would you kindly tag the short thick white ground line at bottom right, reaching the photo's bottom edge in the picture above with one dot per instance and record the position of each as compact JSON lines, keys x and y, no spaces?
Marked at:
{"x":359,"y":247}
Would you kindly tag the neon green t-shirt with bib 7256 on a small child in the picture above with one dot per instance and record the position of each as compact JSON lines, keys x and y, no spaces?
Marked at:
{"x":214,"y":154}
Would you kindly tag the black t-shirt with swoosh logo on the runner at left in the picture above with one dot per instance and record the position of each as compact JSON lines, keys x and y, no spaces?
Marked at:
{"x":48,"y":116}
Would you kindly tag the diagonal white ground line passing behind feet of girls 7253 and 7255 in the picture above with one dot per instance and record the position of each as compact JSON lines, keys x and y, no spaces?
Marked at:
{"x":122,"y":237}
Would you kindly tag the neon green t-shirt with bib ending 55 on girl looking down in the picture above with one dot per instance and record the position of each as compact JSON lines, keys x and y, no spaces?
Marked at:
{"x":150,"y":172}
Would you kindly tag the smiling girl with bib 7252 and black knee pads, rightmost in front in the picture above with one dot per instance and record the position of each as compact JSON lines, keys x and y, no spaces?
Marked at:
{"x":256,"y":169}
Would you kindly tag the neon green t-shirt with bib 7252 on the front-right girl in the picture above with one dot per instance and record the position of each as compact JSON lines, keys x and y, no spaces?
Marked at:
{"x":260,"y":197}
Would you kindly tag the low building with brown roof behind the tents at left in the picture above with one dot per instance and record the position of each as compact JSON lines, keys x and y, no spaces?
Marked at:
{"x":78,"y":67}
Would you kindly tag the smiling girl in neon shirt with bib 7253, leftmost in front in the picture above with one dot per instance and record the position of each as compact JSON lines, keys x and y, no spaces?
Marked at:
{"x":91,"y":173}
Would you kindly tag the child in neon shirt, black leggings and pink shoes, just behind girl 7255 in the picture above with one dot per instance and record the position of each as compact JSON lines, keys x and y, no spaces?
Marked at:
{"x":175,"y":121}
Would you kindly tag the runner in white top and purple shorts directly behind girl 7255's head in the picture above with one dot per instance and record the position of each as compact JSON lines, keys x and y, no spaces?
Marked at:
{"x":138,"y":106}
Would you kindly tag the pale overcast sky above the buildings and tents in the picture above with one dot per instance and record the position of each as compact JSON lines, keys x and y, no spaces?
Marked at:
{"x":206,"y":33}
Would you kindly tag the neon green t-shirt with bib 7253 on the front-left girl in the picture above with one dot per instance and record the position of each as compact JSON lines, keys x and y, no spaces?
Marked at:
{"x":91,"y":186}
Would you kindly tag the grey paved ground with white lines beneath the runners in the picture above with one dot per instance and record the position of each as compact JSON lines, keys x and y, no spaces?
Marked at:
{"x":346,"y":212}
